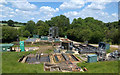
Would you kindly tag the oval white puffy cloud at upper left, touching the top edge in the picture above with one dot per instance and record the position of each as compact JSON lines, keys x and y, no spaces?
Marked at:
{"x":23,"y":5}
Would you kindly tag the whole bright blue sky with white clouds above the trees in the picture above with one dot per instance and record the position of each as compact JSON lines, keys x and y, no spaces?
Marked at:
{"x":24,"y":10}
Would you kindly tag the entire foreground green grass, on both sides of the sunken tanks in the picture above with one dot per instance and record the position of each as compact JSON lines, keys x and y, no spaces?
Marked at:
{"x":10,"y":64}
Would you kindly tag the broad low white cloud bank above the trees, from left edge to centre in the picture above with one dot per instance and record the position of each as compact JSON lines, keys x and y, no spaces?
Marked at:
{"x":44,"y":13}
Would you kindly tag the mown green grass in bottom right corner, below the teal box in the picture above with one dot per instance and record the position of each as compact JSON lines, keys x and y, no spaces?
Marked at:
{"x":101,"y":67}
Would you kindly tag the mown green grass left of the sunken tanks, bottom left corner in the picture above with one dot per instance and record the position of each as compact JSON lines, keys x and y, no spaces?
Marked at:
{"x":10,"y":63}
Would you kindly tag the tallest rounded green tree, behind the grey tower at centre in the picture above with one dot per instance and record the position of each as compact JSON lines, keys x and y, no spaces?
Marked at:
{"x":62,"y":22}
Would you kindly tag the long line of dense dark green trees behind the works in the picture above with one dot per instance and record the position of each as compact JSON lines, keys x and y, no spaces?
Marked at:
{"x":88,"y":29}
